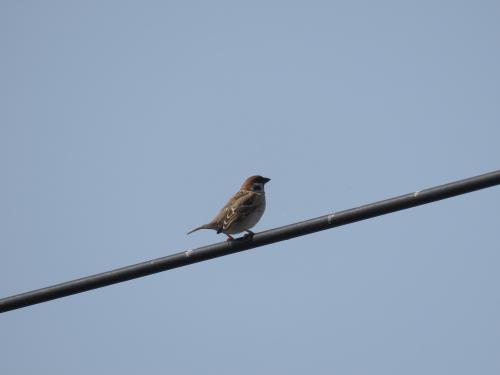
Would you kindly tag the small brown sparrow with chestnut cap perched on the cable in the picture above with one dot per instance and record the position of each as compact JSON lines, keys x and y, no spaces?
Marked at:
{"x":243,"y":210}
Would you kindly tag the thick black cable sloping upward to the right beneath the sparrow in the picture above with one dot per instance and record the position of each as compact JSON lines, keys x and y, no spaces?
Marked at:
{"x":260,"y":239}
